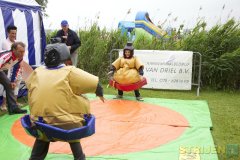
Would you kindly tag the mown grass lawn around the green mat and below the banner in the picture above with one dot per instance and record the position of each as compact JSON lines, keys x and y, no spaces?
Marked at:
{"x":224,"y":108}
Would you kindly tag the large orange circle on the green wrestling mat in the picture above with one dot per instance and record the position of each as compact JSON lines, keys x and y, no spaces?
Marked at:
{"x":122,"y":126}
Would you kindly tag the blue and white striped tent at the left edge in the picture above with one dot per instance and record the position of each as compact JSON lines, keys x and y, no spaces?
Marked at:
{"x":26,"y":15}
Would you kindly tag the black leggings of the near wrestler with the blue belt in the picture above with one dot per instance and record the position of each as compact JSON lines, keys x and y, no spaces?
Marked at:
{"x":40,"y":150}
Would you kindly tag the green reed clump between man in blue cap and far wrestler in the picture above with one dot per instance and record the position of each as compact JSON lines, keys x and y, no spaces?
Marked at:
{"x":95,"y":49}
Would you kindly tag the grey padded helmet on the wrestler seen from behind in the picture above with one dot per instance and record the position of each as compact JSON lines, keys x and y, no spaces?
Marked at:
{"x":56,"y":54}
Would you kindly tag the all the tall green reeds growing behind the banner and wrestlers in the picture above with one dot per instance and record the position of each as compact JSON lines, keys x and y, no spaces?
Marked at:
{"x":219,"y":46}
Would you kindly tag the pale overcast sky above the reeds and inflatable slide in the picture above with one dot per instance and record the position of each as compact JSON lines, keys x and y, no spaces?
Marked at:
{"x":108,"y":13}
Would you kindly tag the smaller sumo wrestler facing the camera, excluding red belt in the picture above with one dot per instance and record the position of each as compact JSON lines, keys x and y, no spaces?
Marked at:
{"x":127,"y":70}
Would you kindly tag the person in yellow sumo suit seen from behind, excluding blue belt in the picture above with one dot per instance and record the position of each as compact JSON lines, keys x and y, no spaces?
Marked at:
{"x":55,"y":93}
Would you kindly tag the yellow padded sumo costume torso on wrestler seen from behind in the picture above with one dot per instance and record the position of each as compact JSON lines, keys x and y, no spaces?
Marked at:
{"x":63,"y":109}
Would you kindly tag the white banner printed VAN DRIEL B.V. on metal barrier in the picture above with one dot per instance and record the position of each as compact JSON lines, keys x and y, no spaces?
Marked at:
{"x":166,"y":69}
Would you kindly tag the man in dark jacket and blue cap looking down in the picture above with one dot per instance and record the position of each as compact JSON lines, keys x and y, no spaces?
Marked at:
{"x":71,"y":39}
